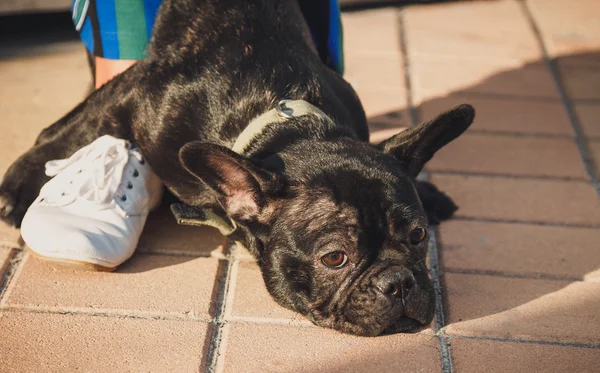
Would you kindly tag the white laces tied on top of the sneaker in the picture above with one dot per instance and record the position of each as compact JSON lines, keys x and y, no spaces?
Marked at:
{"x":93,"y":173}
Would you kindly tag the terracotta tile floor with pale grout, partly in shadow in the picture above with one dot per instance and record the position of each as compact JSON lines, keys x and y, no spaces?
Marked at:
{"x":517,"y":271}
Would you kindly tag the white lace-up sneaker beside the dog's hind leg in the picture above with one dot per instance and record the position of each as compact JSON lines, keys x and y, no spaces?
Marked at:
{"x":94,"y":209}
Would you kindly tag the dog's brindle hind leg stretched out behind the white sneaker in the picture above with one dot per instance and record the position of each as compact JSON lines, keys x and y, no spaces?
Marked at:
{"x":102,"y":113}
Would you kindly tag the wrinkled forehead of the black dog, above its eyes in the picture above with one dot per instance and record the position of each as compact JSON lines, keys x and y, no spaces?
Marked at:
{"x":351,"y":208}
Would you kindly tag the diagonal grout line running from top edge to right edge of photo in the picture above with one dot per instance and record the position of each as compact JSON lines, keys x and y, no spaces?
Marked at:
{"x":567,"y":104}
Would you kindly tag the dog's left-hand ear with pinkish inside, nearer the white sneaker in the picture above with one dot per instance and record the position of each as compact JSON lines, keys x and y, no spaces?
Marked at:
{"x":241,"y":184}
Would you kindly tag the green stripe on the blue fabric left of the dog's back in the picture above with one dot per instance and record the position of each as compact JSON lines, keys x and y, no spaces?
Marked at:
{"x":131,"y":27}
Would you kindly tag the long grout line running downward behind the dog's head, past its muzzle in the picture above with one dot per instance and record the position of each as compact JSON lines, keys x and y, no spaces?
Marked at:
{"x":433,"y":254}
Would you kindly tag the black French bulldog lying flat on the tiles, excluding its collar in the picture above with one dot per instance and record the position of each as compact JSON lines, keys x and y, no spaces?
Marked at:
{"x":336,"y":224}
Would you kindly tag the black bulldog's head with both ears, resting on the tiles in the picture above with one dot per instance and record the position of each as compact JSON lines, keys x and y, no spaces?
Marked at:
{"x":337,"y":227}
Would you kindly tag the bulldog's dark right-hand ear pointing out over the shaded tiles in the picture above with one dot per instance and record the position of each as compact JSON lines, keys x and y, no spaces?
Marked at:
{"x":417,"y":145}
